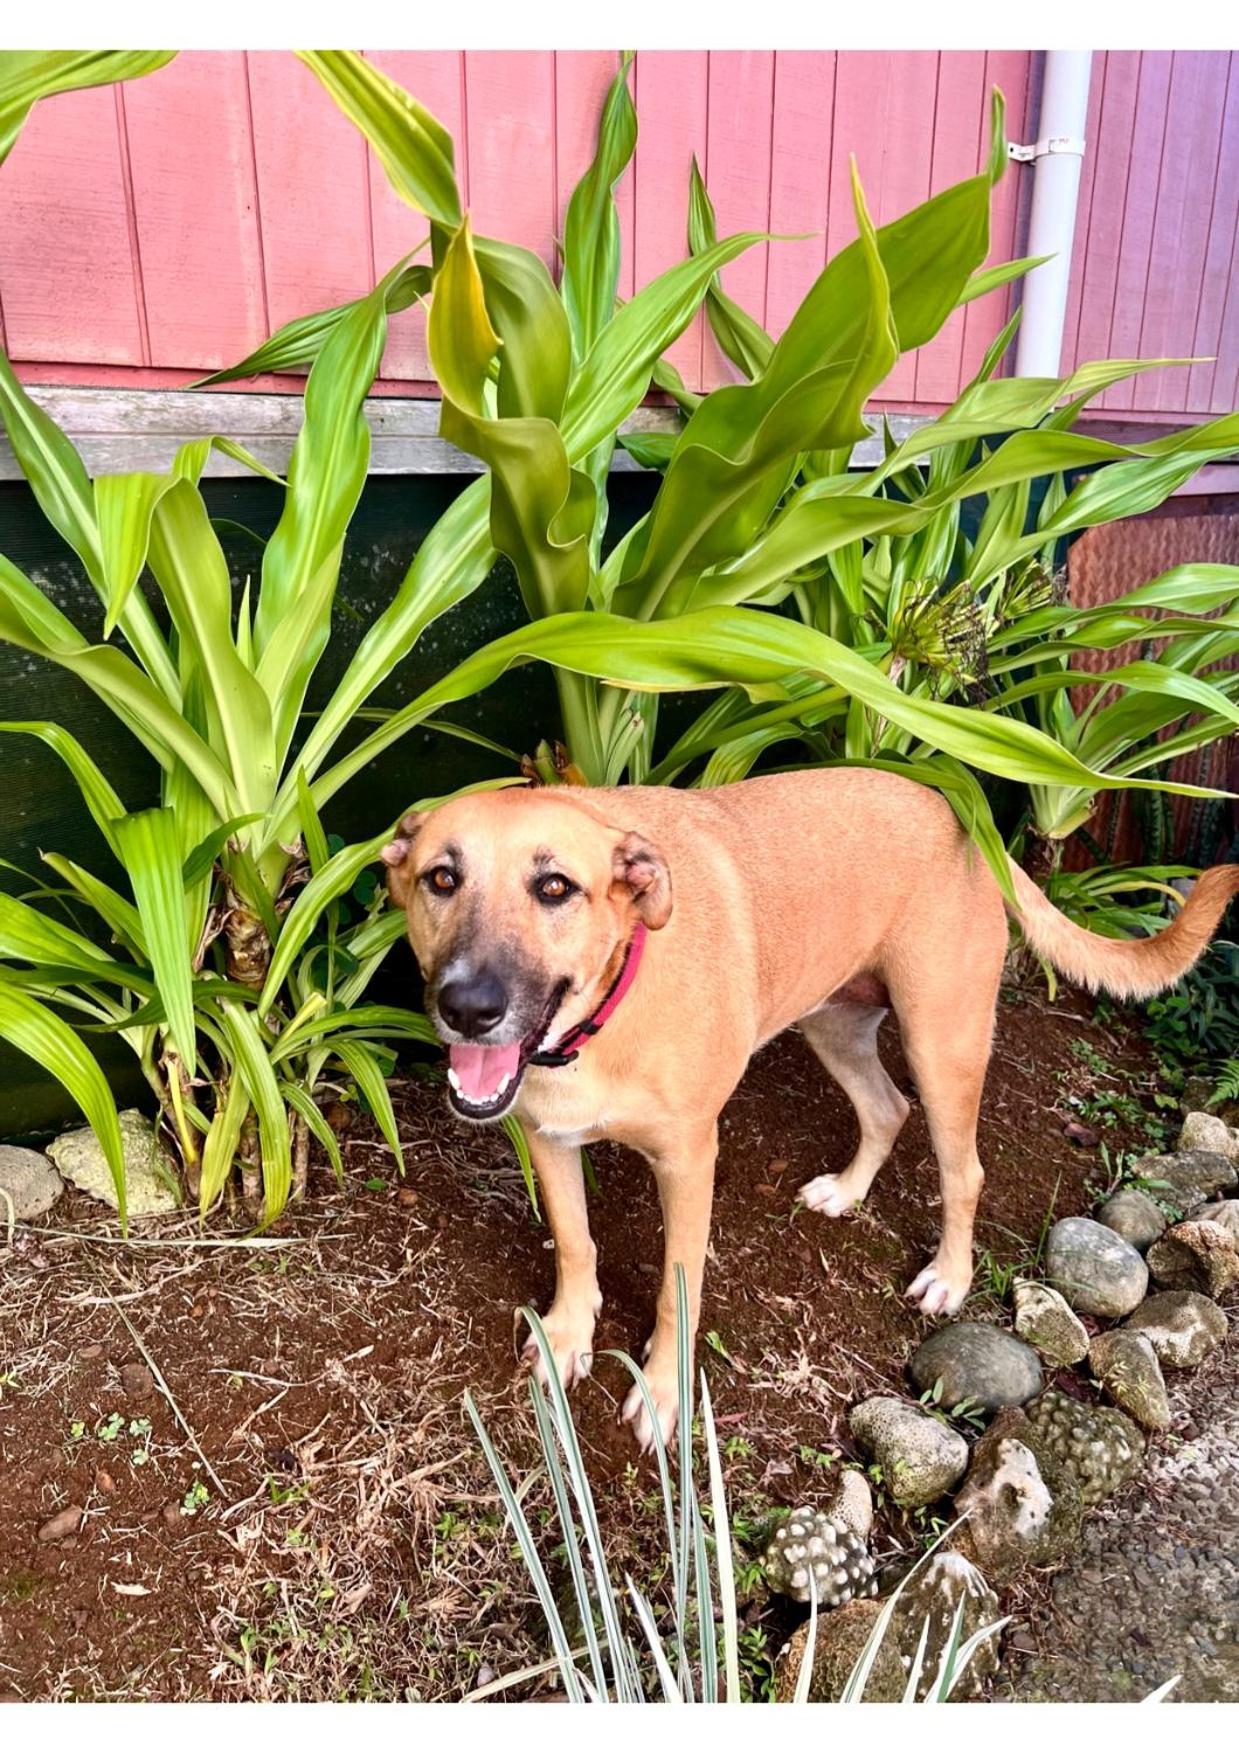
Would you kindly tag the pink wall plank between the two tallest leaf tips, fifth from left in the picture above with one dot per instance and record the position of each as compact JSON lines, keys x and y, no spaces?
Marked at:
{"x":511,"y":120}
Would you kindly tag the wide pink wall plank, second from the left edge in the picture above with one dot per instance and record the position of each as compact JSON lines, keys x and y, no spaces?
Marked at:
{"x":195,"y":206}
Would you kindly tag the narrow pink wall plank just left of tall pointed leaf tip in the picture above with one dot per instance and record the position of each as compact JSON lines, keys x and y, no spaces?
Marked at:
{"x":800,"y":178}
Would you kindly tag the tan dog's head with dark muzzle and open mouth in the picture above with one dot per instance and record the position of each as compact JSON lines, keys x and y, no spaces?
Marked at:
{"x":520,"y":907}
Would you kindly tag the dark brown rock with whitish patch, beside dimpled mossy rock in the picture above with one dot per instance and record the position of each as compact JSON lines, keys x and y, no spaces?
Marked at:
{"x":1023,"y":1505}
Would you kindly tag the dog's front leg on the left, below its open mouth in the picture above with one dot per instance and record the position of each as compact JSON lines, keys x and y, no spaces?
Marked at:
{"x":570,"y":1319}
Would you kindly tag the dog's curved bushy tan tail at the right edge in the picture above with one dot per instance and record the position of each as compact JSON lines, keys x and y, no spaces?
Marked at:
{"x":1126,"y":967}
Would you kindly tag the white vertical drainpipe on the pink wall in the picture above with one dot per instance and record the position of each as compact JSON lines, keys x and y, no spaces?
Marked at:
{"x":1052,"y":225}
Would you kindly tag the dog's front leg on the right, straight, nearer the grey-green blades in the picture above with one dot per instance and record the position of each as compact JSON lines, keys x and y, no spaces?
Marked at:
{"x":684,"y":1172}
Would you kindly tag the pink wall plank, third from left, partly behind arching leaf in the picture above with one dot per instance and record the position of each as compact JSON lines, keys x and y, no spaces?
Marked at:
{"x":313,"y":190}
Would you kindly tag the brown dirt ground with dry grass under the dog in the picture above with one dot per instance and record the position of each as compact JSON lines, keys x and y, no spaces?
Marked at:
{"x":348,"y":1542}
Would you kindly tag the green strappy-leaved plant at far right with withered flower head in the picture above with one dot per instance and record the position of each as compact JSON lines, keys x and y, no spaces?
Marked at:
{"x":882,"y":562}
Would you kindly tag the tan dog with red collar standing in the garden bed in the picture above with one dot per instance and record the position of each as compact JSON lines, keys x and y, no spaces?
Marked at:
{"x":812,"y":898}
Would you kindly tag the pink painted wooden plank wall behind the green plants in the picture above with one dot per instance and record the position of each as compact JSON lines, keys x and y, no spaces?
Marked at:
{"x":157,"y":231}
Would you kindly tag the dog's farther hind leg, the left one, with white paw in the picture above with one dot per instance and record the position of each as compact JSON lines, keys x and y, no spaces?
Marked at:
{"x":846,"y":1039}
